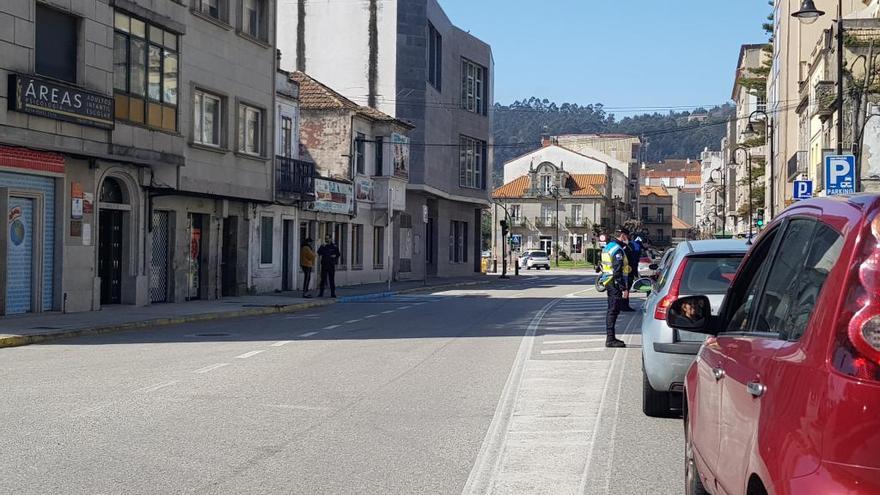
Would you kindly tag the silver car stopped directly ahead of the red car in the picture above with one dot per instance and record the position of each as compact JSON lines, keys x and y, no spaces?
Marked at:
{"x":695,"y":267}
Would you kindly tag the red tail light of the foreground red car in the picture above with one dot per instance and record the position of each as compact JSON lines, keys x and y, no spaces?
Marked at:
{"x":858,"y":343}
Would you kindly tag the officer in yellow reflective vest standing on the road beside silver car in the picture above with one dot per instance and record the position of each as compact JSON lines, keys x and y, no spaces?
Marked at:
{"x":616,"y":269}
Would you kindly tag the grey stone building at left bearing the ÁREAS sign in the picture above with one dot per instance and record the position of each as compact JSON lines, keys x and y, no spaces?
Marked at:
{"x":128,"y":166}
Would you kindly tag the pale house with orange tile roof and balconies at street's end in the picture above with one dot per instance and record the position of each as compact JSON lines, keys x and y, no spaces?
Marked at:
{"x":550,"y":208}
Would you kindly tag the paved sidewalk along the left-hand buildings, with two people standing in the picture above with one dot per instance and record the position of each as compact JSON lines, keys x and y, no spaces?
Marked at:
{"x":32,"y":328}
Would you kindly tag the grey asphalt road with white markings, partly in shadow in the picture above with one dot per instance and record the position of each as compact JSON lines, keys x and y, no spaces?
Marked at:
{"x":502,"y":388}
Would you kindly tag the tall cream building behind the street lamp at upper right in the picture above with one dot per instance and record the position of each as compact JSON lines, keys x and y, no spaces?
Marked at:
{"x":793,"y":43}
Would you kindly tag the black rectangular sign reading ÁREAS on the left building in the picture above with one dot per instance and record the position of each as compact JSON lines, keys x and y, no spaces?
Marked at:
{"x":38,"y":96}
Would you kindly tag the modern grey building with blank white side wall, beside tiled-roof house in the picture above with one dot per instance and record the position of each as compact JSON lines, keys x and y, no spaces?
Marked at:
{"x":406,"y":59}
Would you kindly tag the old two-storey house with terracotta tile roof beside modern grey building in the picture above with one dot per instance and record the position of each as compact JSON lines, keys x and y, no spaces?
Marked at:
{"x":360,"y":155}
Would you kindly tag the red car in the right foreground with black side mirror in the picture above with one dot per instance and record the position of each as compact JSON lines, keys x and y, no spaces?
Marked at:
{"x":784,"y":397}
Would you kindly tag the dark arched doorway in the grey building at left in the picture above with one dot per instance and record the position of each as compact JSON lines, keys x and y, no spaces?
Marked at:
{"x":114,"y":205}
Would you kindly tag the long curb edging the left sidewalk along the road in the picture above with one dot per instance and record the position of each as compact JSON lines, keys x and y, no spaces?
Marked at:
{"x":23,"y":340}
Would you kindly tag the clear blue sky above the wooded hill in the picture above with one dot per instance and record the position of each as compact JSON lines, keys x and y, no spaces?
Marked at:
{"x":622,"y":53}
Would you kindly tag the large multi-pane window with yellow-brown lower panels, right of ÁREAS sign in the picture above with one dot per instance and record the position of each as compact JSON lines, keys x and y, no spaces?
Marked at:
{"x":145,"y":73}
